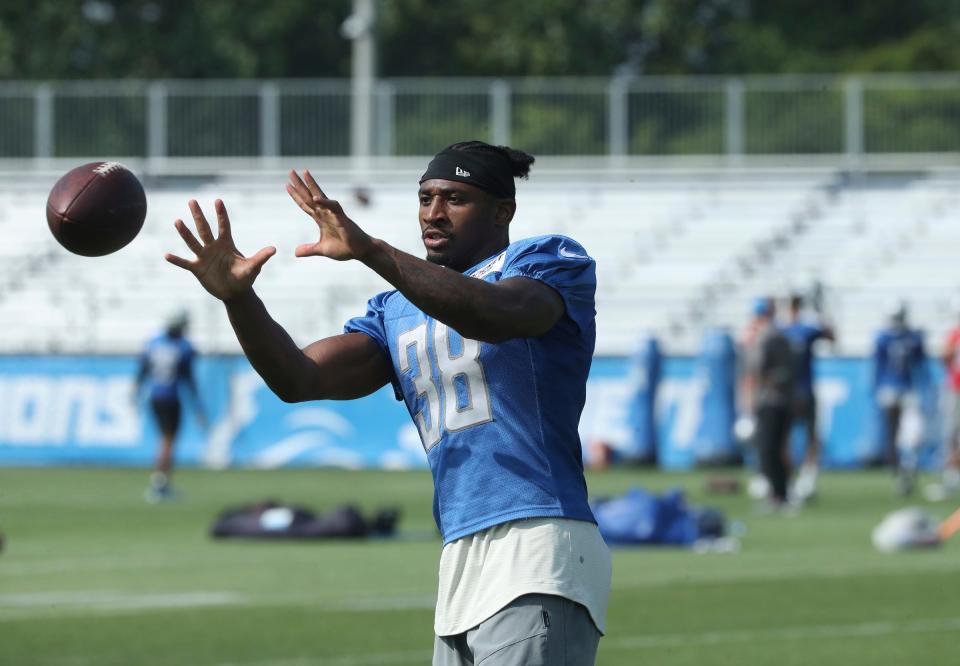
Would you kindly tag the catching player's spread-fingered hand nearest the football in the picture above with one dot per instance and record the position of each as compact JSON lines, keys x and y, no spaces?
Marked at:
{"x":219,"y":266}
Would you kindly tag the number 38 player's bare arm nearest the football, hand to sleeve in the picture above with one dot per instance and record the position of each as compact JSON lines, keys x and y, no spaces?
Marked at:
{"x":339,"y":367}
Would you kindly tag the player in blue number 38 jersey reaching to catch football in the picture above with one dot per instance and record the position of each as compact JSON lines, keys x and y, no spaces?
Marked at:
{"x":488,"y":343}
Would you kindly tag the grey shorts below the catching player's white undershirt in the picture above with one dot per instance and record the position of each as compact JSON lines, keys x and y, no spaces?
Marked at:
{"x":532,"y":630}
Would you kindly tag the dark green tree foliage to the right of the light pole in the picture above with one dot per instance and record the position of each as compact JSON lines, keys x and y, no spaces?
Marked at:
{"x":600,"y":37}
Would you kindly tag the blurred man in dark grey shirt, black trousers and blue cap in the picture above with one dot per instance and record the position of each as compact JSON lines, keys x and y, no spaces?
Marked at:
{"x":769,"y":376}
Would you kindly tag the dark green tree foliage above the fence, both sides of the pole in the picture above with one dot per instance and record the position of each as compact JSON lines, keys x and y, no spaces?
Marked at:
{"x":67,"y":39}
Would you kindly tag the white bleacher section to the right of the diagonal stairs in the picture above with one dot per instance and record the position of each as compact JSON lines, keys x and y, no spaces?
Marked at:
{"x":869,"y":245}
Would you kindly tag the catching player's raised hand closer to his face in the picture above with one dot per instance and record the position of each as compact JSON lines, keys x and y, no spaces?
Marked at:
{"x":340,"y":237}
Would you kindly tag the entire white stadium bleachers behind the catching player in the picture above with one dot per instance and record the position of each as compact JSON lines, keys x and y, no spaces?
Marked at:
{"x":675,"y":255}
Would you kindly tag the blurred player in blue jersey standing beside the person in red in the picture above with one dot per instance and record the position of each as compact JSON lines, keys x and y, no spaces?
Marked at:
{"x":899,"y":375}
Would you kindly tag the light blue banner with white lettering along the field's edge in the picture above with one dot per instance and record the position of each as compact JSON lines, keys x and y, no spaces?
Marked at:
{"x":57,"y":410}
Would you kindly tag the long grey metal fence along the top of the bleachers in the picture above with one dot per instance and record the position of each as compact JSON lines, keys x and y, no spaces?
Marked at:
{"x":653,"y":116}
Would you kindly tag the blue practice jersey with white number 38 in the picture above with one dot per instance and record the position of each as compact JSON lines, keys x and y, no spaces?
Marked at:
{"x":498,"y":421}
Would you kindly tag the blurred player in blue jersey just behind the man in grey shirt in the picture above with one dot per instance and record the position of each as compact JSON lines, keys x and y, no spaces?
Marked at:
{"x":803,"y":333}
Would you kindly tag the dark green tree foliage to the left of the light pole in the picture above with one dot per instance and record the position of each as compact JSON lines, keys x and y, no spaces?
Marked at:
{"x":70,"y":39}
